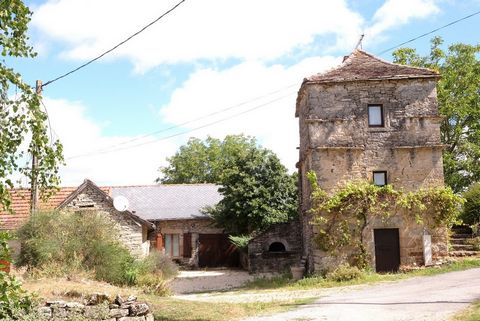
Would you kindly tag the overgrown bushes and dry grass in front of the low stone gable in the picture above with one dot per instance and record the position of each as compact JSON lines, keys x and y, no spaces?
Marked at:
{"x":59,"y":244}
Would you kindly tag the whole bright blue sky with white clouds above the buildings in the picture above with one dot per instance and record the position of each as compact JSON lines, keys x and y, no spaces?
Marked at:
{"x":202,"y":58}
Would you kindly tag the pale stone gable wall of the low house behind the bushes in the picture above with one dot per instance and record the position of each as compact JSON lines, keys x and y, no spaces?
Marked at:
{"x":132,"y":234}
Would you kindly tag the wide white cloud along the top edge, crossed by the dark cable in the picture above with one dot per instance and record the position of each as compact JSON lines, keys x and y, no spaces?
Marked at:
{"x":209,"y":29}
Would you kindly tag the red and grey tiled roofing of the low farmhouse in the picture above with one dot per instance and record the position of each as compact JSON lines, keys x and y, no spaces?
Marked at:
{"x":150,"y":202}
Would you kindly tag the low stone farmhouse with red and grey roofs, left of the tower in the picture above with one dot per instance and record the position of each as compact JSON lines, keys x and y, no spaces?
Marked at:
{"x":167,"y":218}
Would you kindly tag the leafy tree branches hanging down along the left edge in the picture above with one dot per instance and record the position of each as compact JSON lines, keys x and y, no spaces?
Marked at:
{"x":22,"y":119}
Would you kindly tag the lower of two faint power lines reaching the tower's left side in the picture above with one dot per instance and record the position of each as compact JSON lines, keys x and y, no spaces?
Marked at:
{"x":187,"y":131}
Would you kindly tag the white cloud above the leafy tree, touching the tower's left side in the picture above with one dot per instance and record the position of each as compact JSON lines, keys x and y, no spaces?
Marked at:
{"x":273,"y":122}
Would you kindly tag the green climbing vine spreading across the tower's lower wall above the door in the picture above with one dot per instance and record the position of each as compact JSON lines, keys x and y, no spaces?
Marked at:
{"x":342,"y":217}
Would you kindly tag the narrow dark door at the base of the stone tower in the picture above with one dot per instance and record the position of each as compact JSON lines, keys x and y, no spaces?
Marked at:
{"x":387,"y":250}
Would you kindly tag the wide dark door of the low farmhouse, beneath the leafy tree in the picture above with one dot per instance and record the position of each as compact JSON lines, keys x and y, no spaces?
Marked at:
{"x":216,"y":250}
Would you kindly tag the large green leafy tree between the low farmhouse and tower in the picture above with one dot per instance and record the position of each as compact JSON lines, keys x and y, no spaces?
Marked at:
{"x":257,"y":189}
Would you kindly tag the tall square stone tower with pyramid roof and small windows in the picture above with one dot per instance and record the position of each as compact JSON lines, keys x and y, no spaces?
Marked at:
{"x":373,"y":120}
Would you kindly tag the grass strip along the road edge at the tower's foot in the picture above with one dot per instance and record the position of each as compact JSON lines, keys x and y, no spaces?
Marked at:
{"x":365,"y":277}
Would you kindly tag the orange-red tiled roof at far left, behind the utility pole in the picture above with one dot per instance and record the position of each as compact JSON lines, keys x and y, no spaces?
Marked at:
{"x":21,"y":205}
